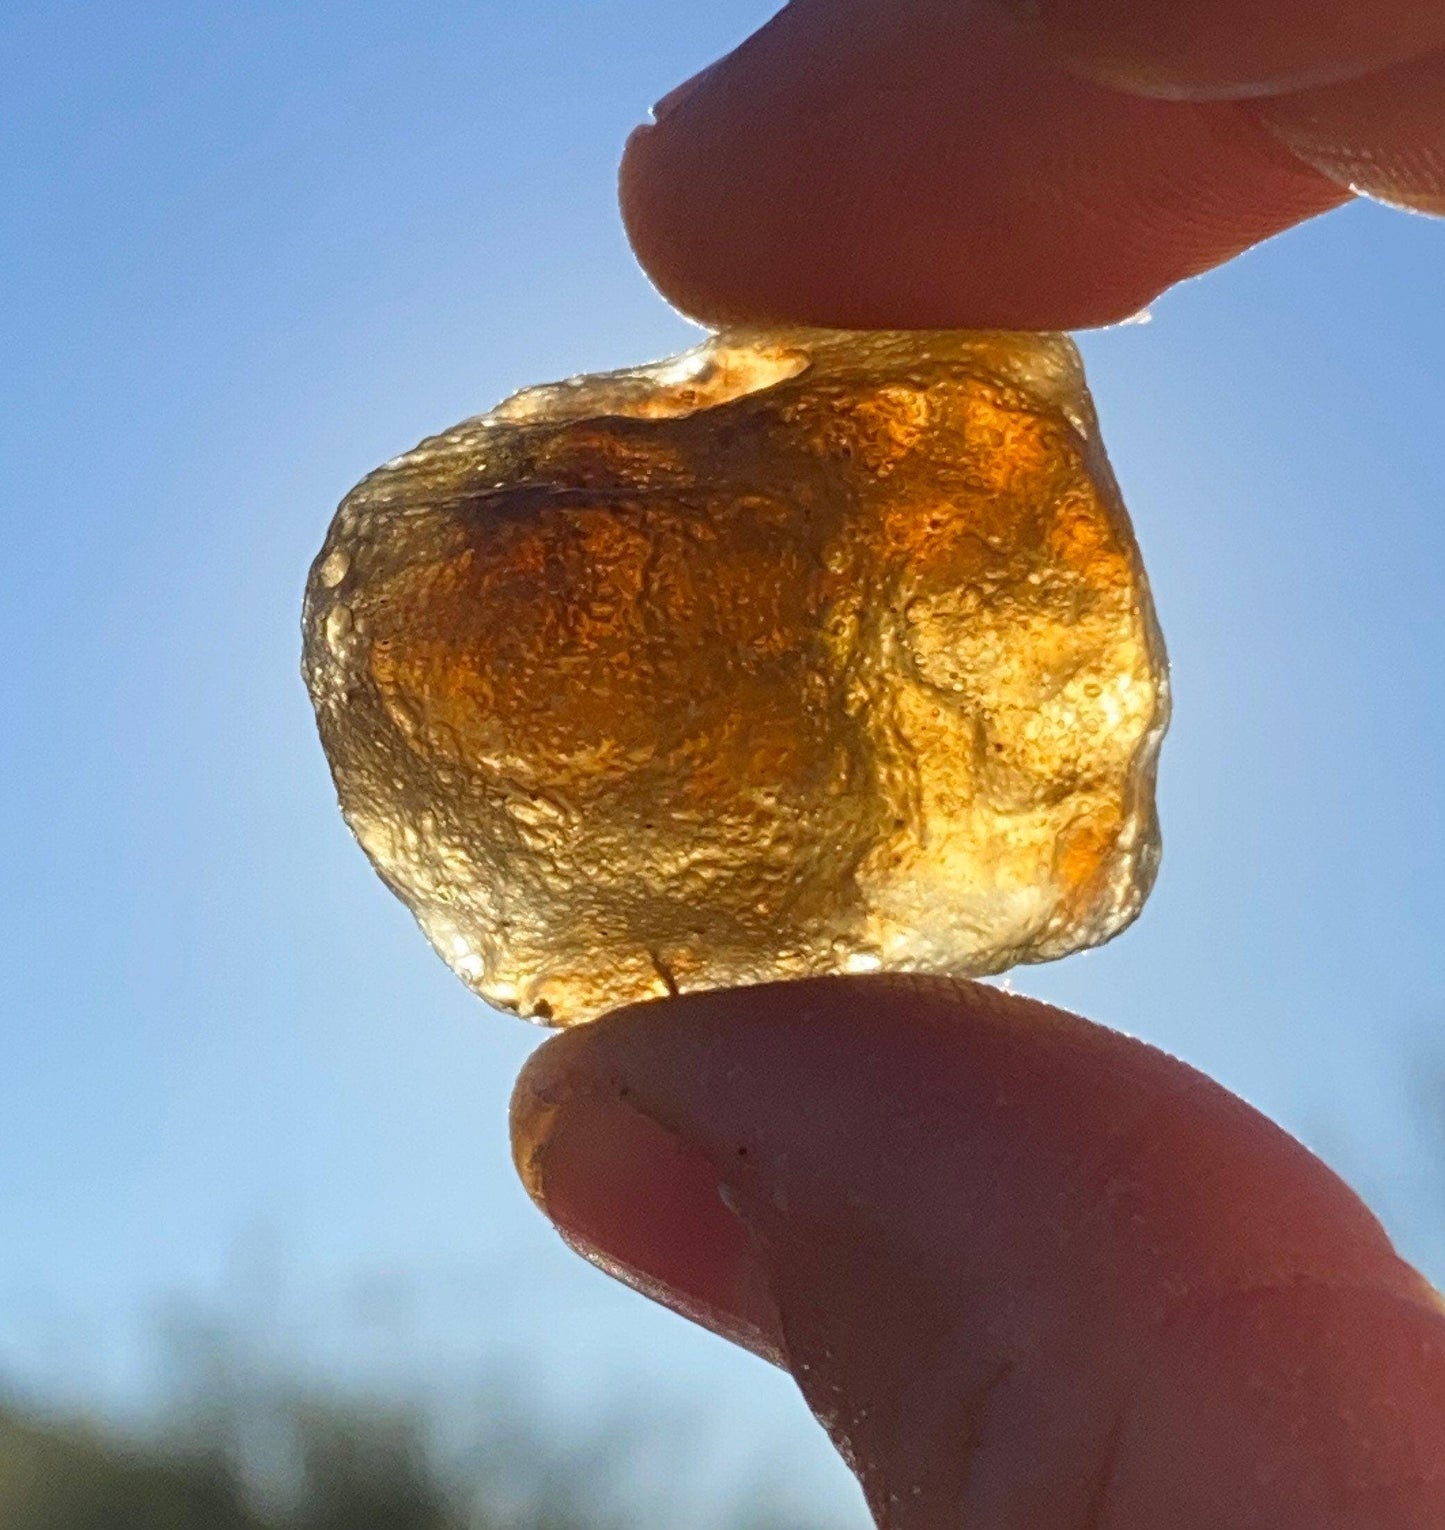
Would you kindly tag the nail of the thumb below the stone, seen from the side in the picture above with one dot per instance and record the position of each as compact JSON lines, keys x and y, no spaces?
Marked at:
{"x":644,"y":1206}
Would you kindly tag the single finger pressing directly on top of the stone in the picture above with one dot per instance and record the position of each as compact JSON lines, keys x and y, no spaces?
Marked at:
{"x":922,"y":164}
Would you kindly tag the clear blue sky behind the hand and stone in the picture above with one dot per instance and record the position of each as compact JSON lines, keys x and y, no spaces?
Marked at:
{"x":249,"y":253}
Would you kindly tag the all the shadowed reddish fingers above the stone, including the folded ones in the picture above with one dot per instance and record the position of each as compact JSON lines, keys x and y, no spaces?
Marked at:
{"x":941,"y":163}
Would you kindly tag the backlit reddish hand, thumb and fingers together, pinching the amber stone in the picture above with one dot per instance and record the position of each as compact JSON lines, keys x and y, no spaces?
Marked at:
{"x":1029,"y":1274}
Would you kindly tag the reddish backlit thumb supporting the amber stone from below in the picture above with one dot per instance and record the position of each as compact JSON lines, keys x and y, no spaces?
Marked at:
{"x":1028,"y":1272}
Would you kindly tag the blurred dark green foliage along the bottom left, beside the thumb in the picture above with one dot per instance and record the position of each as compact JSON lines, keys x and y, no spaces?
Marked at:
{"x":249,"y":1430}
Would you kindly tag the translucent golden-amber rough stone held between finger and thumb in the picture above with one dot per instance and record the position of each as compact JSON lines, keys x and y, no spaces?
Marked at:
{"x":804,"y":653}
